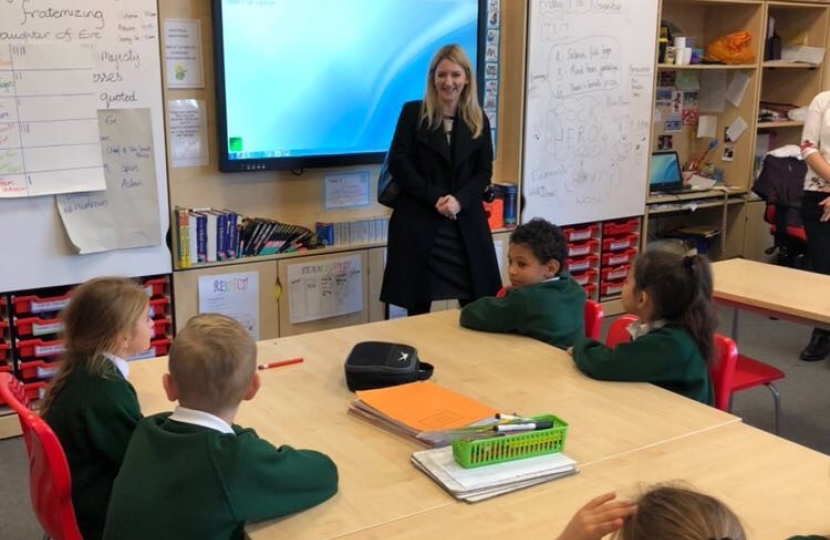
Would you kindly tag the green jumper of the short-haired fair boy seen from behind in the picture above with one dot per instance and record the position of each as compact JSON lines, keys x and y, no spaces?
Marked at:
{"x":181,"y":480}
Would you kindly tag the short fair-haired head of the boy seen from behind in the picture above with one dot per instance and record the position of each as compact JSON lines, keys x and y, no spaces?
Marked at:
{"x":212,"y":361}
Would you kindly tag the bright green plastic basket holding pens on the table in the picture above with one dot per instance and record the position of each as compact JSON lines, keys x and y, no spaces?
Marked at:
{"x":475,"y":453}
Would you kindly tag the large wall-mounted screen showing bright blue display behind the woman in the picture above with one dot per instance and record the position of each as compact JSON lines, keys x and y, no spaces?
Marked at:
{"x":306,"y":78}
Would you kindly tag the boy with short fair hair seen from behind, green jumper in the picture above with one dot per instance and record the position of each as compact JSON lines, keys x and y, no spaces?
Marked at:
{"x":195,"y":474}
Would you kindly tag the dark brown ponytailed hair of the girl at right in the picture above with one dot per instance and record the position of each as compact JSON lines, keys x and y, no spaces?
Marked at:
{"x":680,"y":288}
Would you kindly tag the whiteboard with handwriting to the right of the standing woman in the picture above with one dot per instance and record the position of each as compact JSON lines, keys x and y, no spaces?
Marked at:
{"x":588,"y":108}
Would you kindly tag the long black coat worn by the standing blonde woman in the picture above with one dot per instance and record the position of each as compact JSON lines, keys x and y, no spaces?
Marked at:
{"x":427,"y":168}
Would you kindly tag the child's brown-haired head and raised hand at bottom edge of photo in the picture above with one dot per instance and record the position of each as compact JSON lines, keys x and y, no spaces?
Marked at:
{"x":666,"y":512}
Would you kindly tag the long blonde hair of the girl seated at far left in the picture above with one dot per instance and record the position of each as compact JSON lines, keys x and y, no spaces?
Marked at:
{"x":100,"y":313}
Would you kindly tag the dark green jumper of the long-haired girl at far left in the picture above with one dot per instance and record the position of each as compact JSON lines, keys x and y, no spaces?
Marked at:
{"x":94,"y":418}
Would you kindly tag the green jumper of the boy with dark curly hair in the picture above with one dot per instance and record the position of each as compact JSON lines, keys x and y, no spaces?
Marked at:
{"x":551,"y":311}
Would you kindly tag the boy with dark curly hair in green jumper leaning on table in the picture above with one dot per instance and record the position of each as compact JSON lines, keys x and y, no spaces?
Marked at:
{"x":543,"y":301}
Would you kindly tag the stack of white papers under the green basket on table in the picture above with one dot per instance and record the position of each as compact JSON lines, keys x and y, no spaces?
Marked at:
{"x":480,"y":483}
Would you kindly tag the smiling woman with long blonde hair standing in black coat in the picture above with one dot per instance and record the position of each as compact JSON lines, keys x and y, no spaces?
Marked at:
{"x":440,"y":246}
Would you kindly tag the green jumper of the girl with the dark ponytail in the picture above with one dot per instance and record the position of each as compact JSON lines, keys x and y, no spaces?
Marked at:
{"x":667,"y":357}
